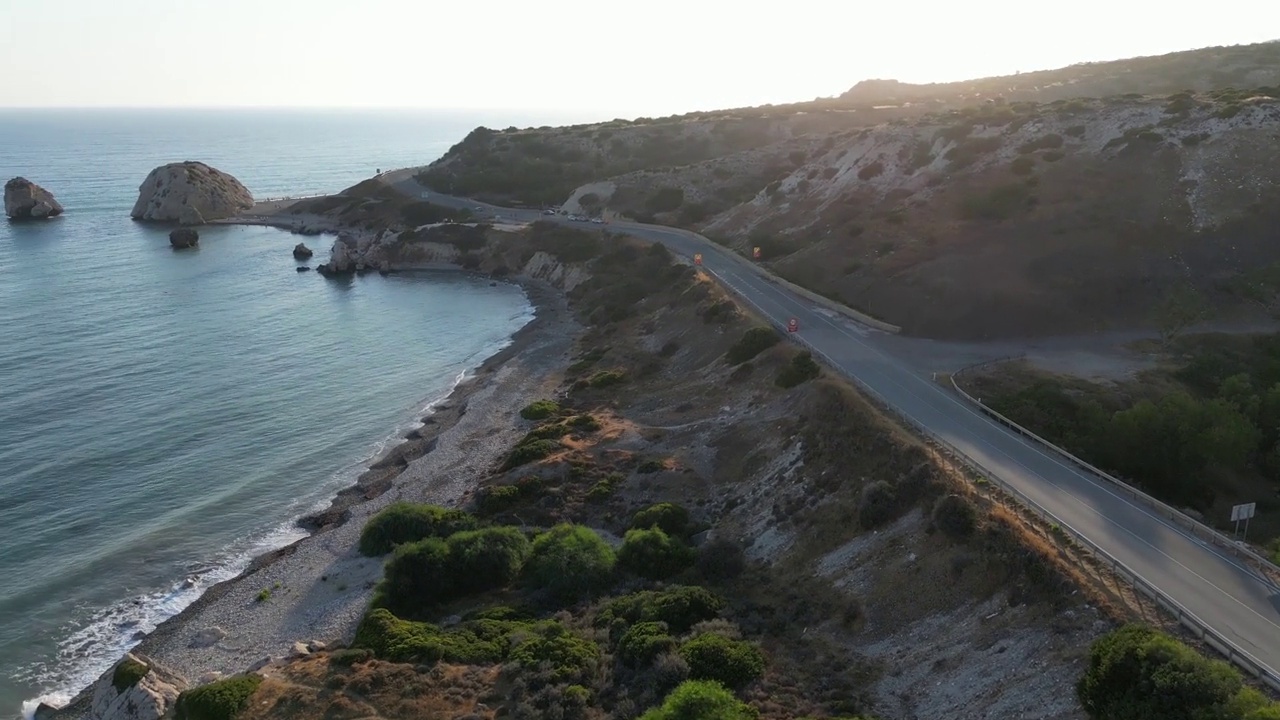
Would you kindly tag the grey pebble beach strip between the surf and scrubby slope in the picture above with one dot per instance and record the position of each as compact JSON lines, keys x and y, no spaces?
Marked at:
{"x":319,"y":586}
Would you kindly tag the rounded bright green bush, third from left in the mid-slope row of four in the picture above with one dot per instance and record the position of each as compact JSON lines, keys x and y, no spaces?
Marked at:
{"x":570,"y":562}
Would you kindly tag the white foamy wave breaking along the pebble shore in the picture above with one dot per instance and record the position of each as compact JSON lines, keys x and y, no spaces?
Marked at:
{"x":90,"y":649}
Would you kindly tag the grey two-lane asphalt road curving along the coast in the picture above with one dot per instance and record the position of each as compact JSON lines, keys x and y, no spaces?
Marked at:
{"x":1214,"y":587}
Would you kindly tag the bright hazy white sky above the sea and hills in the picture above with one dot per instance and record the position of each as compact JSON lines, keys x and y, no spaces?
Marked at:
{"x":647,"y":58}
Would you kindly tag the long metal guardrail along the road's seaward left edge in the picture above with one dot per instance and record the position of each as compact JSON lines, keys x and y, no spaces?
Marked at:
{"x":1185,"y":617}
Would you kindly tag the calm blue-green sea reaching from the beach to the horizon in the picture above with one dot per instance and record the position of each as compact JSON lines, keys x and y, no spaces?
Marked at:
{"x":167,"y":416}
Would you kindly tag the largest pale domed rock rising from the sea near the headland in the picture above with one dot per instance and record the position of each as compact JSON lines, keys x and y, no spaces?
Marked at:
{"x":190,"y":194}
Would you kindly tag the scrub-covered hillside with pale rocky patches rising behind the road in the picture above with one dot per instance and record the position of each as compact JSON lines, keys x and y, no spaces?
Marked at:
{"x":976,"y":216}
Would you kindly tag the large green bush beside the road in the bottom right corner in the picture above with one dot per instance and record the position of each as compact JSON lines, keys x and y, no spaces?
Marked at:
{"x":1137,"y":673}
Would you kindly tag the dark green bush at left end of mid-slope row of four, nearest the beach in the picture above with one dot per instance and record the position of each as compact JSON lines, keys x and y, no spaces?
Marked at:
{"x":419,"y":575}
